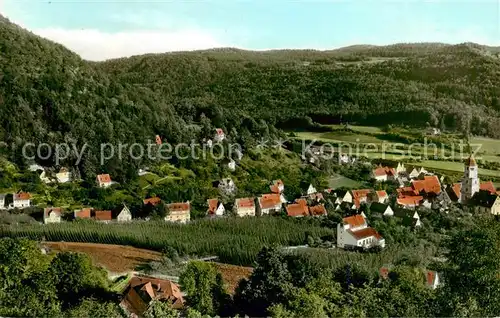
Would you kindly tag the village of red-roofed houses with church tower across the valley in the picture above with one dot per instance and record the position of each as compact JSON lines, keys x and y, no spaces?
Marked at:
{"x":416,"y":188}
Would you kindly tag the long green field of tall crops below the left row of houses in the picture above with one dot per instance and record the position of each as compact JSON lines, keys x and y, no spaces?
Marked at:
{"x":234,"y":240}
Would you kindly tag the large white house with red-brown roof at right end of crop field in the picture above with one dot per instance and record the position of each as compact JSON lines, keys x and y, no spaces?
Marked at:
{"x":354,"y":232}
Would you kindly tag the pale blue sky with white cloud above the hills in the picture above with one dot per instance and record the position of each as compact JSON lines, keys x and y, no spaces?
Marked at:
{"x":103,"y":29}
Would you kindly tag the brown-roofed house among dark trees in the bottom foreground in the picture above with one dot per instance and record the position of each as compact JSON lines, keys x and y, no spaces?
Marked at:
{"x":141,"y":290}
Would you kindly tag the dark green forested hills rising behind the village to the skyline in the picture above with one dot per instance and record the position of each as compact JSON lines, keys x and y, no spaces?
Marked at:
{"x":49,"y":94}
